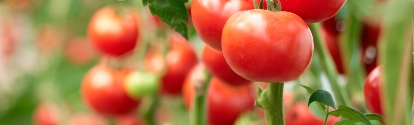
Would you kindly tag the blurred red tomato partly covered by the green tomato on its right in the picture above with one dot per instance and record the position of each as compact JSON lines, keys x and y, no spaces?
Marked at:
{"x":103,"y":90}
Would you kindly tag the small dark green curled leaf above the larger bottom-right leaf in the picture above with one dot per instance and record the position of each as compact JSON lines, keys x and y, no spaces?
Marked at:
{"x":322,"y":96}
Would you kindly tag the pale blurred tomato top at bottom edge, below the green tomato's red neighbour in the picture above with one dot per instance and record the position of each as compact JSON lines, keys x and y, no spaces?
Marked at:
{"x":87,"y":119}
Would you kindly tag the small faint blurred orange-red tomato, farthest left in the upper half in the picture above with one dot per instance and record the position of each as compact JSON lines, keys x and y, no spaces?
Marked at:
{"x":79,"y":51}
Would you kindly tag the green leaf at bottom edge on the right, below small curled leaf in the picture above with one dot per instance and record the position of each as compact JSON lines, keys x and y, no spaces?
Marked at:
{"x":350,"y":114}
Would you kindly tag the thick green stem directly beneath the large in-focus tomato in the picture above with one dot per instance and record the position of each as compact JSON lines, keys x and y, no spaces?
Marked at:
{"x":271,"y":100}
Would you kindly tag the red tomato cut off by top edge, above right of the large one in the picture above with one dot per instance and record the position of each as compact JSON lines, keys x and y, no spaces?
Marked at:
{"x":313,"y":10}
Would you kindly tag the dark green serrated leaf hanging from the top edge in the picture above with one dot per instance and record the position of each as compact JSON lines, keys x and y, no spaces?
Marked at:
{"x":172,"y":12}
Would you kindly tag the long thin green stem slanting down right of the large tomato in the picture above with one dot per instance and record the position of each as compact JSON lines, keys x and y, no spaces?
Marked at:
{"x":328,"y":66}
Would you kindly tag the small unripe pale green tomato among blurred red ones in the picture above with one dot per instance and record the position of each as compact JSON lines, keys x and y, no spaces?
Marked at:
{"x":139,"y":84}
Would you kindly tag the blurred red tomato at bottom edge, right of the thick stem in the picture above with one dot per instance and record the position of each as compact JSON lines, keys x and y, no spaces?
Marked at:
{"x":300,"y":114}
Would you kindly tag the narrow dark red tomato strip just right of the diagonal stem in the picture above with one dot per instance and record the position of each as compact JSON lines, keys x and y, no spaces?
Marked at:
{"x":330,"y":35}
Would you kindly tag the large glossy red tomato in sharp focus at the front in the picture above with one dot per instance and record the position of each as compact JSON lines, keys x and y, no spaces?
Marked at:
{"x":266,"y":46}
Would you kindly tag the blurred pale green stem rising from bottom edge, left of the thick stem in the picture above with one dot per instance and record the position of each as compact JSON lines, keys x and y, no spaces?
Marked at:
{"x":199,"y":111}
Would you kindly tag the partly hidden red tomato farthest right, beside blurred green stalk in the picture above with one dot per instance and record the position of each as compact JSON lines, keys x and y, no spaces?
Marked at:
{"x":372,"y":91}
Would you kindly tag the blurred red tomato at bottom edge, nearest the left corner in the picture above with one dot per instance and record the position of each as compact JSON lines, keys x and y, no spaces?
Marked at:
{"x":46,"y":114}
